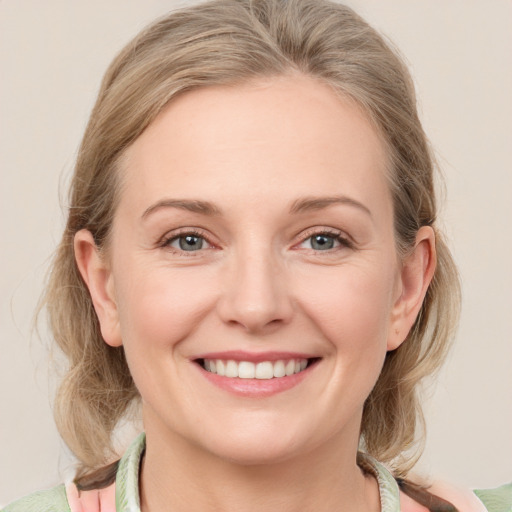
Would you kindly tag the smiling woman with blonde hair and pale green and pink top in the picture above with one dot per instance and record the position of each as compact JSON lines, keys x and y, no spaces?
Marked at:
{"x":252,"y":254}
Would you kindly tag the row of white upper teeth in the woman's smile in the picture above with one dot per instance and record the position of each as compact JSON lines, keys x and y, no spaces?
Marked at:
{"x":246,"y":370}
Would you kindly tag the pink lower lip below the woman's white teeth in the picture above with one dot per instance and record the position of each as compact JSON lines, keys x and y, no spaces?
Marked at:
{"x":257,"y":388}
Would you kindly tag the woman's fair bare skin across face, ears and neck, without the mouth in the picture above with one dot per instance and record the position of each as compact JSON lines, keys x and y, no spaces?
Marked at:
{"x":257,"y":284}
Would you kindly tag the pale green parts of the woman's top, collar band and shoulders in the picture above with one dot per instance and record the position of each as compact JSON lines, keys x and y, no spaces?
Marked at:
{"x":127,"y":488}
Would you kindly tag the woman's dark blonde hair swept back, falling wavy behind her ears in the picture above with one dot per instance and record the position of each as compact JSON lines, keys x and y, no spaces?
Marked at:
{"x":230,"y":42}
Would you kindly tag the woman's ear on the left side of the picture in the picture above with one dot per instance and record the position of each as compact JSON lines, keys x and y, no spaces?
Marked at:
{"x":99,"y":280}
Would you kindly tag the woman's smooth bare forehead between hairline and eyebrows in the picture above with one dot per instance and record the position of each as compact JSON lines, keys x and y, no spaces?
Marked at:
{"x":271,"y":138}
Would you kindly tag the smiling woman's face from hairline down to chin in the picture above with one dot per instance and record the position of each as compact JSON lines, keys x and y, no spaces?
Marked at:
{"x":254,"y":235}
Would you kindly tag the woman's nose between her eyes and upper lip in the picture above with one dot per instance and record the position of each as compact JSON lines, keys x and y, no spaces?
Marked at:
{"x":256,"y":294}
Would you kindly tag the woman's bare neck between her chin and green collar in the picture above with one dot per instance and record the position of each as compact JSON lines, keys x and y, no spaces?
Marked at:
{"x":178,"y":475}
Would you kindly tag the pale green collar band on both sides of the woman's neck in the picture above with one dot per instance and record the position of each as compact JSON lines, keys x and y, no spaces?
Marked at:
{"x":127,"y":479}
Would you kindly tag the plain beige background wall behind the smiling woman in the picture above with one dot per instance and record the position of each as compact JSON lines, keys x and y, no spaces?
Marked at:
{"x":52,"y":55}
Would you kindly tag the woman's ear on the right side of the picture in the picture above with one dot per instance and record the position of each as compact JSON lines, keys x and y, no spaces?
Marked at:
{"x":415,"y":277}
